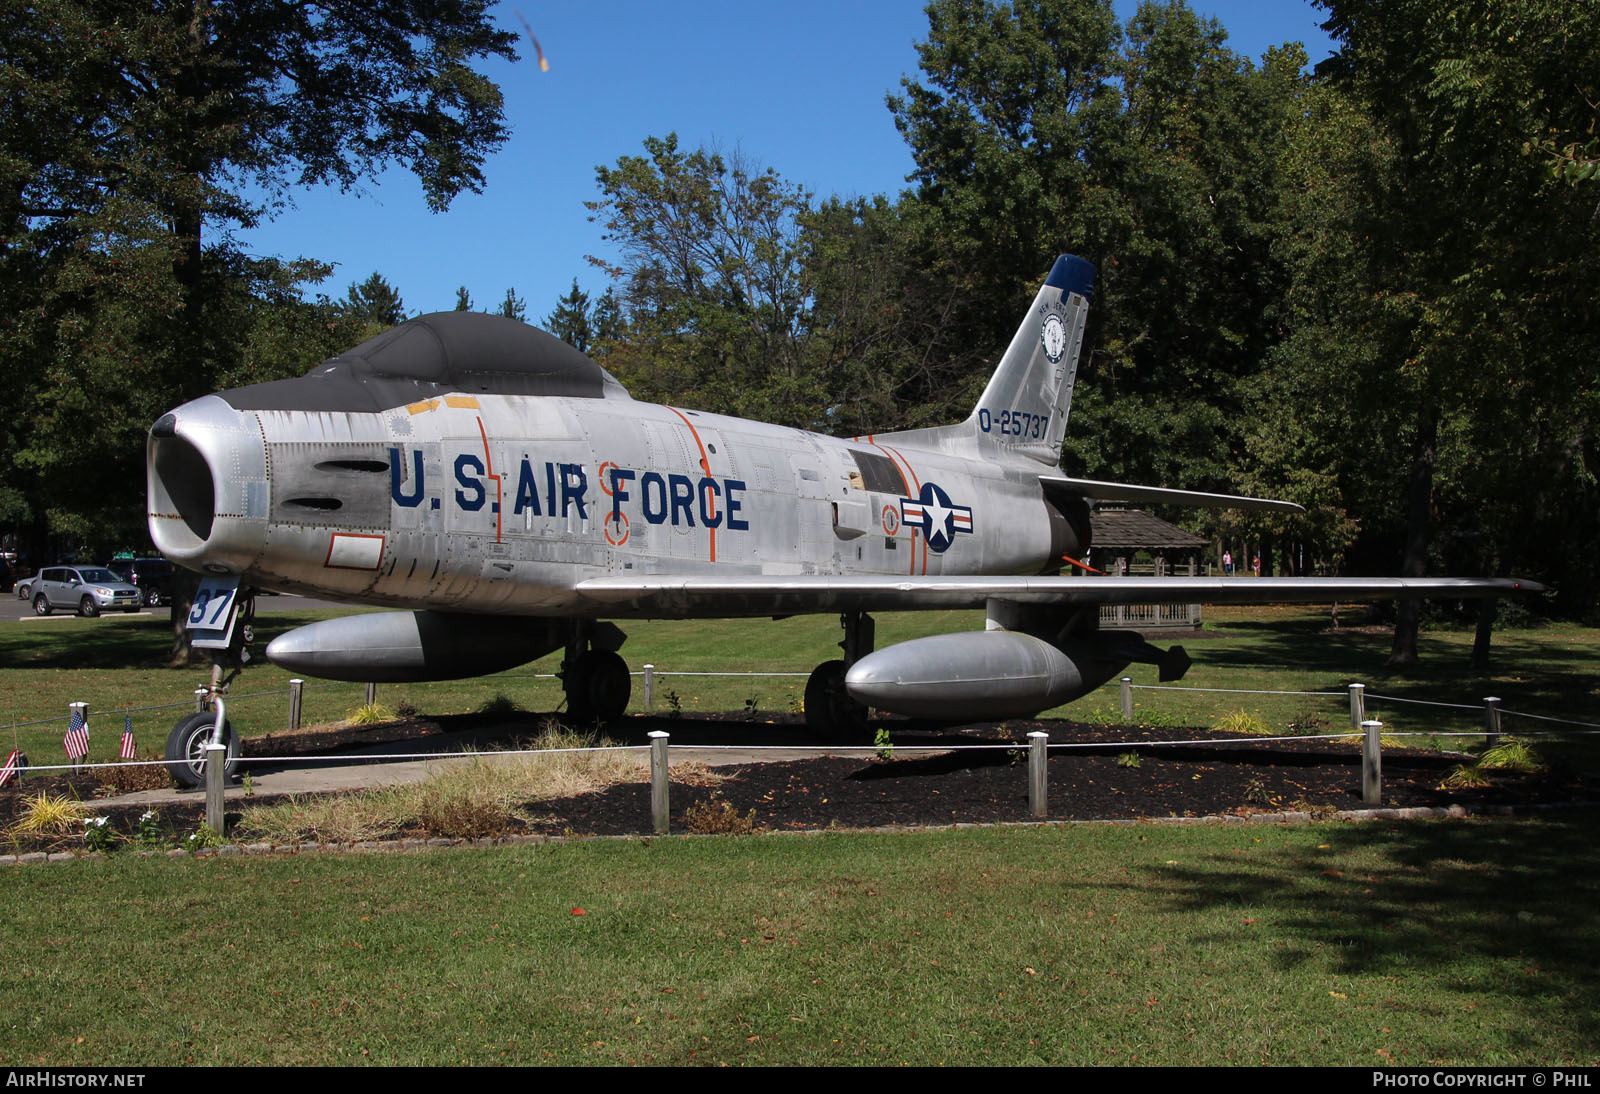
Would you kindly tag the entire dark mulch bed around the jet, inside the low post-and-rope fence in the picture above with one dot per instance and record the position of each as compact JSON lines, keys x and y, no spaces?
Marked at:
{"x":1196,"y":778}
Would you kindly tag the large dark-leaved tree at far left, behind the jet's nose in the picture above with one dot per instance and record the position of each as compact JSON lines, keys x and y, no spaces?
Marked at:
{"x":129,"y":134}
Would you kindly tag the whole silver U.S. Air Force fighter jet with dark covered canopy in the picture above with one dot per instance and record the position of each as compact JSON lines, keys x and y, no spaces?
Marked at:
{"x":508,"y":498}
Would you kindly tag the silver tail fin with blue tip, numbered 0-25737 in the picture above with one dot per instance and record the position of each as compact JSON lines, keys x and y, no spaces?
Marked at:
{"x":1026,"y":405}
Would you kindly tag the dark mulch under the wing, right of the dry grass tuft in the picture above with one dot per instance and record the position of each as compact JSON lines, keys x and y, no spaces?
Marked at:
{"x":1086,"y":783}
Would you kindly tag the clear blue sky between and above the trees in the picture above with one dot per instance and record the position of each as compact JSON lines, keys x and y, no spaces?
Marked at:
{"x":796,"y":87}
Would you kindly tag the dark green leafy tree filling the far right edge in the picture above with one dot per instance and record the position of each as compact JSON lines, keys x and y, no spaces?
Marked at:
{"x":1473,"y":279}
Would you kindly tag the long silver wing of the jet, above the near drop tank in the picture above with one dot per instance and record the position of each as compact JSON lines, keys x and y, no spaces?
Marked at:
{"x":780,"y":596}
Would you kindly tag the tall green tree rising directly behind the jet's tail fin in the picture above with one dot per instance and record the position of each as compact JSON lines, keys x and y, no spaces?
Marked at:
{"x":1044,"y":127}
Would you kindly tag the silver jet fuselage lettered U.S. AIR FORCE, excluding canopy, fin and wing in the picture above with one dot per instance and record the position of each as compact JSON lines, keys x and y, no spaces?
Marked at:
{"x":505,"y":503}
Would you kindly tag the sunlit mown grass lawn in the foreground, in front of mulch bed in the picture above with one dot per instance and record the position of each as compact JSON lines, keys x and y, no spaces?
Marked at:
{"x":1346,"y":944}
